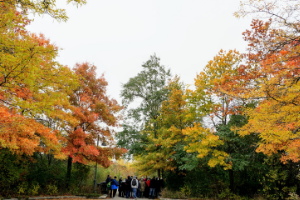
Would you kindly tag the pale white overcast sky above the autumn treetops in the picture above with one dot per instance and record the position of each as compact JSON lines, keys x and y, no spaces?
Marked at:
{"x":118,"y":36}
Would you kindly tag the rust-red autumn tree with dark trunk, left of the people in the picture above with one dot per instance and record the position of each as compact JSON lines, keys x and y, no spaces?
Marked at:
{"x":97,"y":115}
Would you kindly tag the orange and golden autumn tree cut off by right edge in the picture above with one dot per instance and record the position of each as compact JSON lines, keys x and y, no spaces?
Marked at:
{"x":271,"y":75}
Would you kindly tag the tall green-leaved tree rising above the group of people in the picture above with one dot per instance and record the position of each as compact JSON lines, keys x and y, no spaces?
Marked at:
{"x":149,"y":89}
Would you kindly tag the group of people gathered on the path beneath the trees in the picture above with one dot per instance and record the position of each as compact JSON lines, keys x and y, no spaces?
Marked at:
{"x":134,"y":188}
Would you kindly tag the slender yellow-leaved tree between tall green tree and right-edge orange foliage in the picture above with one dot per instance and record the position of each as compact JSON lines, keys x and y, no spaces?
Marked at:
{"x":214,"y":105}
